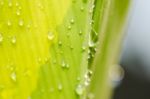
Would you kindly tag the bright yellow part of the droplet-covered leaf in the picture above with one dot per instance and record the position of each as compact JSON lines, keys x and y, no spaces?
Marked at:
{"x":27,"y":29}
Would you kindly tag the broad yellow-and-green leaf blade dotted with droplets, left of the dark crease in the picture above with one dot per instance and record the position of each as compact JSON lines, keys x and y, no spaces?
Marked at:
{"x":43,"y":48}
